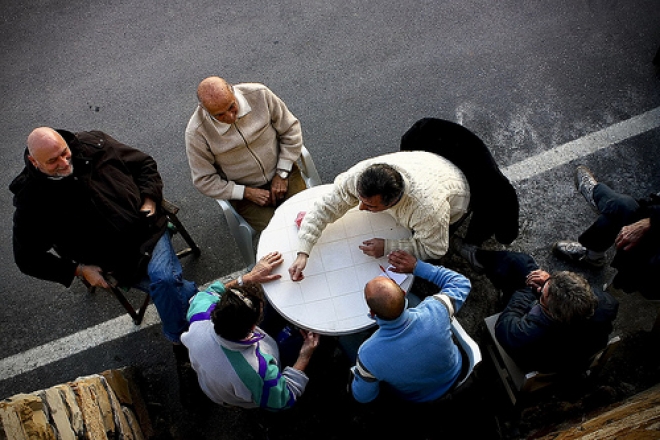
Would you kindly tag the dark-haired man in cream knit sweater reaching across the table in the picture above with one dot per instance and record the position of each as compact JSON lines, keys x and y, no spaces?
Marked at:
{"x":422,"y":191}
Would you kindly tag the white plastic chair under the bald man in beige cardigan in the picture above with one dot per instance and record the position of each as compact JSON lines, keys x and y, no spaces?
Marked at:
{"x":242,"y":231}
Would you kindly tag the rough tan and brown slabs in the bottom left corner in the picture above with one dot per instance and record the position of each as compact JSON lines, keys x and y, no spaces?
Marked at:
{"x":103,"y":406}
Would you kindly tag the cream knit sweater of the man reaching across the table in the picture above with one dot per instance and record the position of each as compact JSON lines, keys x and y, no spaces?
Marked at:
{"x":436,"y":195}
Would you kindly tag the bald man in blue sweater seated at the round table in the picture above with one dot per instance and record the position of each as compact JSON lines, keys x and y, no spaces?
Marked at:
{"x":412,"y":351}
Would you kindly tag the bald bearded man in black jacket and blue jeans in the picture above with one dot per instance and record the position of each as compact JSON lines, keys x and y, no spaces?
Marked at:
{"x":88,"y":206}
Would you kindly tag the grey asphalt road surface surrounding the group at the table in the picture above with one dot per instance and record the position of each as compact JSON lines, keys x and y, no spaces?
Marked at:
{"x":526,"y":77}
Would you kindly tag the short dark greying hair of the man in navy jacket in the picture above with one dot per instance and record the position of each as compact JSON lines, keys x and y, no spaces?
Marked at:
{"x":570,"y":298}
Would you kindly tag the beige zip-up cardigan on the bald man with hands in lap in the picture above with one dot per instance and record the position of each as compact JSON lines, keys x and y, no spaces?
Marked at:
{"x":225,"y":158}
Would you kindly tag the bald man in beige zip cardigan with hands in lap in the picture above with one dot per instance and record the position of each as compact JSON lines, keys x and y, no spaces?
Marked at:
{"x":242,"y":144}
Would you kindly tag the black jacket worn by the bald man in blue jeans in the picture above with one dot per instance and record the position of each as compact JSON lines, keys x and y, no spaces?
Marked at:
{"x":90,"y":217}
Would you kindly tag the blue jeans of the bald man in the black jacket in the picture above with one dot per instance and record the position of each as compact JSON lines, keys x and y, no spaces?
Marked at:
{"x":169,"y":291}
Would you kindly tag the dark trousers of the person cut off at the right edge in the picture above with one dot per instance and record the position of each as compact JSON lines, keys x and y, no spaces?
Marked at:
{"x":616,"y":211}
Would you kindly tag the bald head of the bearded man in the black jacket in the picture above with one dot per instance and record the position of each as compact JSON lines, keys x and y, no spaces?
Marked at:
{"x":49,"y":152}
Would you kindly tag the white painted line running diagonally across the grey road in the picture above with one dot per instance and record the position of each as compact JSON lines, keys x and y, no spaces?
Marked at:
{"x":123,"y":325}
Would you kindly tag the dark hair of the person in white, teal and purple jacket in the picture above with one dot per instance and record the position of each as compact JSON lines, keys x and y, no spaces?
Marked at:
{"x":239,"y":309}
